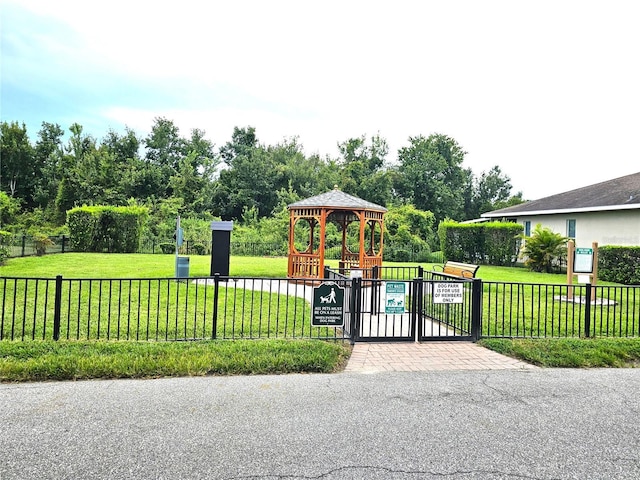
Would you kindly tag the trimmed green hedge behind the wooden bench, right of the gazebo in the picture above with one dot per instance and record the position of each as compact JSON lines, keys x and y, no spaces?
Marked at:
{"x":490,"y":243}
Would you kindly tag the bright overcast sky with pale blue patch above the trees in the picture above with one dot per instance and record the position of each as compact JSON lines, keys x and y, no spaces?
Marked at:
{"x":547,"y":90}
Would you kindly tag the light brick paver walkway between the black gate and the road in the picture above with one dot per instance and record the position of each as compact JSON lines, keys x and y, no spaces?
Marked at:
{"x":410,"y":356}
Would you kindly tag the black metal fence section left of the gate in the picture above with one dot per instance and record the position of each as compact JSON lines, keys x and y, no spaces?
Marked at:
{"x":157,"y":309}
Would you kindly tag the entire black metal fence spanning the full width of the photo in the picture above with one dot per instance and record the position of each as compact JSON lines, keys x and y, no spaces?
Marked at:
{"x":162,"y":309}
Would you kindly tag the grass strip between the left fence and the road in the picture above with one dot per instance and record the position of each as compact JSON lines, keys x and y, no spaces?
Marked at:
{"x":77,"y":360}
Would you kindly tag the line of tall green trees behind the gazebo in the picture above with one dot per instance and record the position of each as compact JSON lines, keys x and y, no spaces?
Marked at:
{"x":171,"y":173}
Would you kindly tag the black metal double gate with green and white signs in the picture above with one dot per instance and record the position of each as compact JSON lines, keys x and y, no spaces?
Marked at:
{"x":416,"y":310}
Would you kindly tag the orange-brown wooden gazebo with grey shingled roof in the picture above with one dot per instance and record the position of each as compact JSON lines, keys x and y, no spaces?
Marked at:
{"x":308,"y":220}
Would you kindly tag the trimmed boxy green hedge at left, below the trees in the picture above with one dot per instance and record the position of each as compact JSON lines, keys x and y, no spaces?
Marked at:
{"x":106,"y":228}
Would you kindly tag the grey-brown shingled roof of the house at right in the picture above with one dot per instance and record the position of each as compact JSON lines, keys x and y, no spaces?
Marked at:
{"x":619,"y":193}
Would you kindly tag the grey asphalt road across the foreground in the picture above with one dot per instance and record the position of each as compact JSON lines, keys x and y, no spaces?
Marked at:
{"x":506,"y":424}
